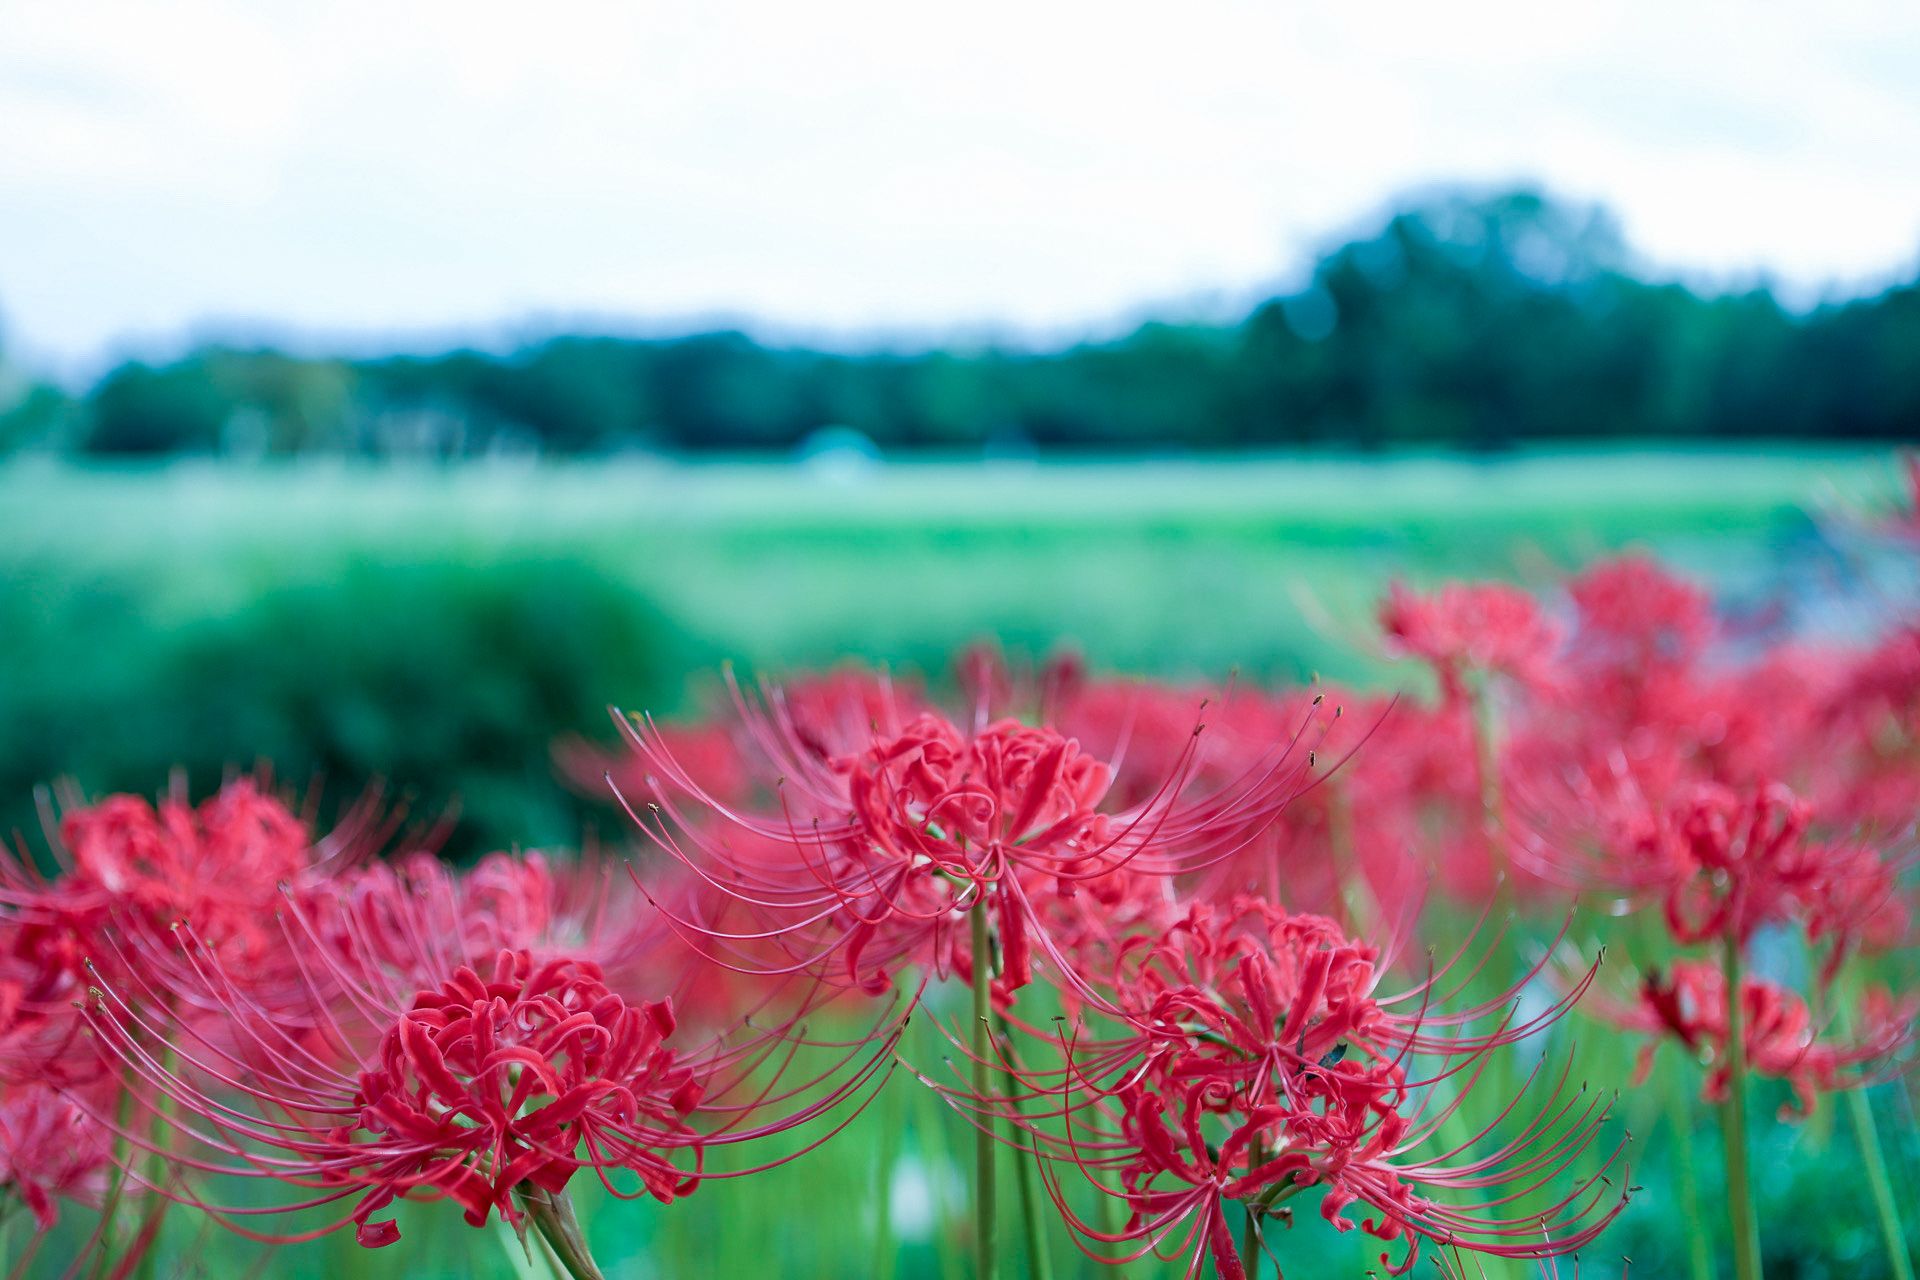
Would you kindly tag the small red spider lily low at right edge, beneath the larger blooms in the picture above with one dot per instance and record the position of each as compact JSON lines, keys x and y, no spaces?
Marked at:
{"x":1779,"y":1031}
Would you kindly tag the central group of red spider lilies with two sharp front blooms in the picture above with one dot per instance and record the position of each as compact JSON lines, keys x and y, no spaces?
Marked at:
{"x":1226,"y":1047}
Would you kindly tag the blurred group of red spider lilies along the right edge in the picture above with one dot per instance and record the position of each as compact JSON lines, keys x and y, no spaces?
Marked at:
{"x":1729,"y":788}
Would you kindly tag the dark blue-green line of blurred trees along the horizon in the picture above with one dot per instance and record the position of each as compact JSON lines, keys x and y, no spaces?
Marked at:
{"x":1466,"y":321}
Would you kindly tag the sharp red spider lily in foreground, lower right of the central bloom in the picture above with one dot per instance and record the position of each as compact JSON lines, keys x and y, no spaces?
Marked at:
{"x":1255,"y":1060}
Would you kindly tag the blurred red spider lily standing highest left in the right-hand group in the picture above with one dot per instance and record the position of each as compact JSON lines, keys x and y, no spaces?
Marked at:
{"x":1472,"y":627}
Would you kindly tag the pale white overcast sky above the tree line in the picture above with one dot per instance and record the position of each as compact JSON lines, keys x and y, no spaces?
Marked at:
{"x":1024,"y":166}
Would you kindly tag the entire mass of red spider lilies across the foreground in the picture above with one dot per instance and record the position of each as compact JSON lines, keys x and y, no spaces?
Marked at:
{"x":1188,"y":926}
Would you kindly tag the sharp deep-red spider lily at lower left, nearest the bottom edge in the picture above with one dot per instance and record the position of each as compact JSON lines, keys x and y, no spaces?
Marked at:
{"x":514,"y":1074}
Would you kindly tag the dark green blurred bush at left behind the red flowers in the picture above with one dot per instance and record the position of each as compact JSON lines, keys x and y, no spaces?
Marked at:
{"x":441,"y":680}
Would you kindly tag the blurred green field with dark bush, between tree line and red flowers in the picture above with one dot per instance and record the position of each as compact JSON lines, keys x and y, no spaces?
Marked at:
{"x":439,"y":627}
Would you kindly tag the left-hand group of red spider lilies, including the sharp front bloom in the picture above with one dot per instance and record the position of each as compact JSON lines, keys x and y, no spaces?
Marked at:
{"x":222,"y":995}
